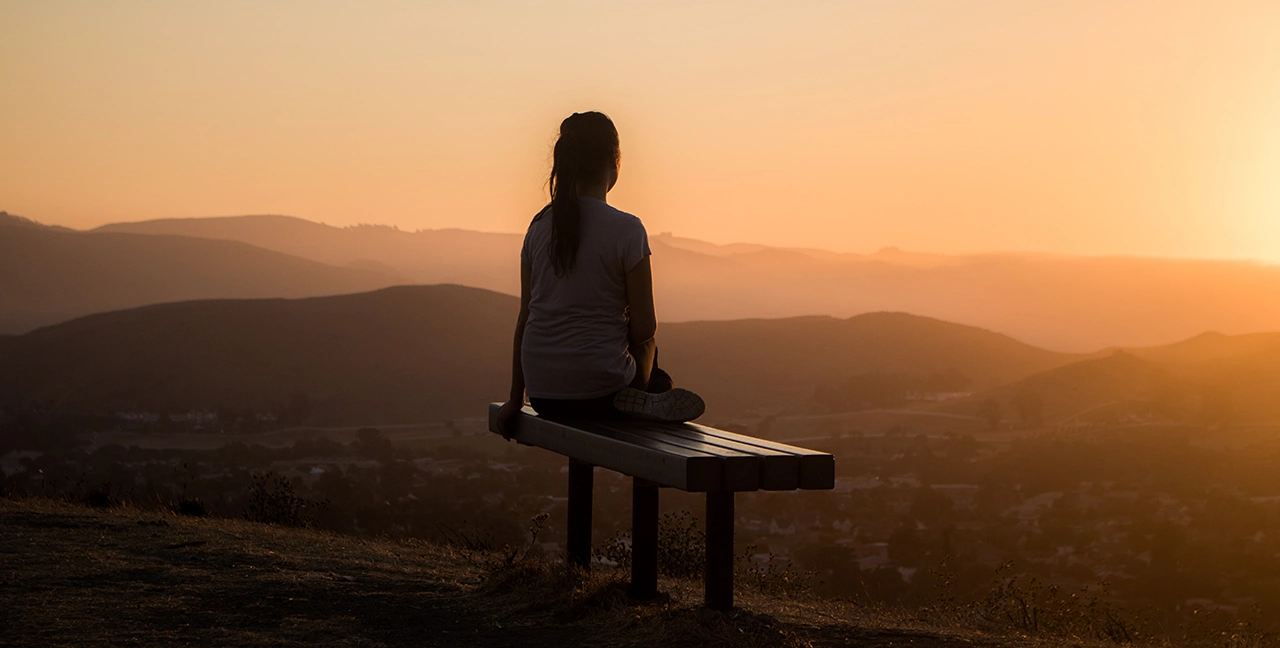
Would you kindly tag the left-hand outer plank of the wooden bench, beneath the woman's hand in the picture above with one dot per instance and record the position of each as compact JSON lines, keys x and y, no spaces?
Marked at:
{"x":651,"y":460}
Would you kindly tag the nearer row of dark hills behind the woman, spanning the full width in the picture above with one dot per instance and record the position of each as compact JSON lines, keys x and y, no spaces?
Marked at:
{"x":432,"y":353}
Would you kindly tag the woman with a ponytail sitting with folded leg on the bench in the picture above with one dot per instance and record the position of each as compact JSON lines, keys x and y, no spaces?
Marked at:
{"x":584,"y":344}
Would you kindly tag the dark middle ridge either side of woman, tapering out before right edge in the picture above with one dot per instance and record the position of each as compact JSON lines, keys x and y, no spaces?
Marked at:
{"x":429,"y":353}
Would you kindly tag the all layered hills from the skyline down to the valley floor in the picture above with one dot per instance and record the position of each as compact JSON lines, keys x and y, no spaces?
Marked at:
{"x":371,"y":358}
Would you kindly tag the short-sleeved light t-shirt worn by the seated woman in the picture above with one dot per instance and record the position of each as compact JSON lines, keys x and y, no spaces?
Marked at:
{"x":577,"y":336}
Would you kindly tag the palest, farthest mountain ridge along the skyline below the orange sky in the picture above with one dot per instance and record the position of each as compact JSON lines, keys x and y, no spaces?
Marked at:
{"x":1064,"y":303}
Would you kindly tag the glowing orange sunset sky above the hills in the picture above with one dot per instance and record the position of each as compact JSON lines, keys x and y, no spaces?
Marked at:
{"x":1068,"y":127}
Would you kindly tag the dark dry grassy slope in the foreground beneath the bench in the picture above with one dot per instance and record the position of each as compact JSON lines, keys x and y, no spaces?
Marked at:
{"x":72,"y":576}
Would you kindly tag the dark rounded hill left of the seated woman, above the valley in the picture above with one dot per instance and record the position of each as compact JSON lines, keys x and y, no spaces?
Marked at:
{"x":408,"y":354}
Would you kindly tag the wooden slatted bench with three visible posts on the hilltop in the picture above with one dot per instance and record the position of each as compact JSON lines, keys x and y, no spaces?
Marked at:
{"x":676,"y":455}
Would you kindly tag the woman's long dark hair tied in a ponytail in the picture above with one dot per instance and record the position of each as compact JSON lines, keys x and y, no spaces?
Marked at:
{"x":587,"y":149}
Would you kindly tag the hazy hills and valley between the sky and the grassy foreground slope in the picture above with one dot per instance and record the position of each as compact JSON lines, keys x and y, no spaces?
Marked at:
{"x":273,"y":349}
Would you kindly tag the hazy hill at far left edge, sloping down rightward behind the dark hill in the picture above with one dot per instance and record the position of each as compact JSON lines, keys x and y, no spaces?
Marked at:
{"x":52,"y":275}
